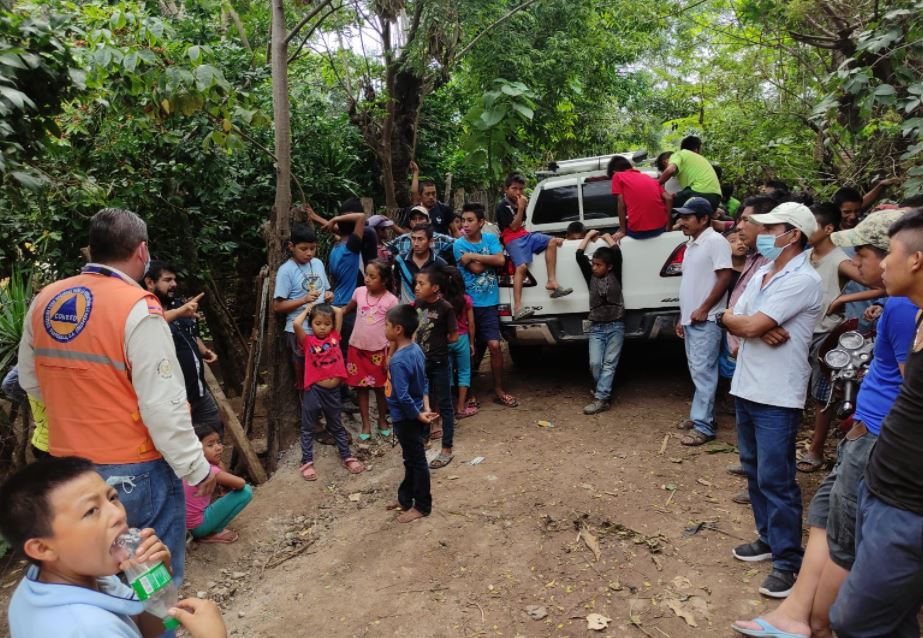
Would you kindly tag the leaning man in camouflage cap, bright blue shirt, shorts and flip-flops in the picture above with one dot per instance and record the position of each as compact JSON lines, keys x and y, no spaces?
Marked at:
{"x":830,"y":550}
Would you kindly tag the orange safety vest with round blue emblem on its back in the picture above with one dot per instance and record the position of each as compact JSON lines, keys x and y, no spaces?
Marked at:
{"x":78,"y":337}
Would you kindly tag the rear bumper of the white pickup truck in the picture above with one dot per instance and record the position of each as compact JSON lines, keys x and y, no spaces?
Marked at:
{"x":563,"y":329}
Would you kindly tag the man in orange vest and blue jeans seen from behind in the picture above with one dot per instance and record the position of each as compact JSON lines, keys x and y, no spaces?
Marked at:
{"x":96,"y":349}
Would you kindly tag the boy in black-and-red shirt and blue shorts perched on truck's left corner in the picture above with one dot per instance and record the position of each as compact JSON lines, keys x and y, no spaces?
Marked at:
{"x":521,"y":244}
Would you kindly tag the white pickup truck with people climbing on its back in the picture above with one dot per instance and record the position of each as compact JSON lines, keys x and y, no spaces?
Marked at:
{"x":579,"y":190}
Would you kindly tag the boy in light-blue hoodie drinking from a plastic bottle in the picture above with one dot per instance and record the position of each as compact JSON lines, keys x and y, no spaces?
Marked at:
{"x":65,"y":519}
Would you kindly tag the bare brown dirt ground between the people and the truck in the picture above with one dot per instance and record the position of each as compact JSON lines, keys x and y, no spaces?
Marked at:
{"x":604,"y":515}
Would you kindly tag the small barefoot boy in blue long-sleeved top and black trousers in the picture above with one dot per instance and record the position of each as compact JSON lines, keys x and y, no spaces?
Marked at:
{"x":407,"y":391}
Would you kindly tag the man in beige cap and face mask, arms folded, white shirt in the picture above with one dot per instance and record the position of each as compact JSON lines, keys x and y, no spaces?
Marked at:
{"x":770,"y":384}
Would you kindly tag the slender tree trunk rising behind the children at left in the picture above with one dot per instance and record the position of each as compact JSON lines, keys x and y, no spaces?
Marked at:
{"x":283,"y":400}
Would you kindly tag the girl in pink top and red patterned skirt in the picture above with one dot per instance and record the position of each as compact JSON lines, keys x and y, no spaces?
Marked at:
{"x":367,"y":356}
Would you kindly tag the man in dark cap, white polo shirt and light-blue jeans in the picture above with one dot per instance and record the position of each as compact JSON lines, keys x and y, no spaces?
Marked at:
{"x":702,"y":295}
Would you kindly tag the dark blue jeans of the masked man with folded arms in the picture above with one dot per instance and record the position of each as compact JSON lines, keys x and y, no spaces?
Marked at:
{"x":766,"y":439}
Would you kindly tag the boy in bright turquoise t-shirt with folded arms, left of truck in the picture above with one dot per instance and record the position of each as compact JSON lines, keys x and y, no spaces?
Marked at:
{"x":479,"y":256}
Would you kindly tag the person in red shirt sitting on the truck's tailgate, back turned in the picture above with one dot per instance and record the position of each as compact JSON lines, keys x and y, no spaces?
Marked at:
{"x":643,"y":204}
